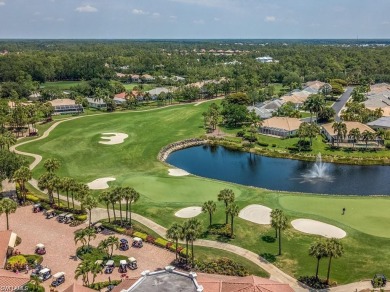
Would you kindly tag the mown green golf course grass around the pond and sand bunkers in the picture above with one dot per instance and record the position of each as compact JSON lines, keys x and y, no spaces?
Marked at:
{"x":134,"y":163}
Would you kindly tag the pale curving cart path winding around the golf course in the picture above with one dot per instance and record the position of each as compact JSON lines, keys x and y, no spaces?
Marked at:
{"x":100,"y":213}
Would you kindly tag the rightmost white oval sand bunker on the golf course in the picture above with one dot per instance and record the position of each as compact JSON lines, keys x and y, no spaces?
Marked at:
{"x":318,"y":228}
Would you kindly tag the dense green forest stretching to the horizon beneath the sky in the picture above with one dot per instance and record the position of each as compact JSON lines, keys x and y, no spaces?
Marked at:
{"x":26,"y":63}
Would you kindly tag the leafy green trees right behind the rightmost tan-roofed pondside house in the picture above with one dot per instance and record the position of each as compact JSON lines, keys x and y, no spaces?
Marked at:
{"x":358,"y":112}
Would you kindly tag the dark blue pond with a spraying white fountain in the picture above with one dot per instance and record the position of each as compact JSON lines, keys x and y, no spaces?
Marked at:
{"x":244,"y":168}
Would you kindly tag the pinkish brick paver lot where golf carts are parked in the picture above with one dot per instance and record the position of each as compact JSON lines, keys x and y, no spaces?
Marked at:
{"x":33,"y":228}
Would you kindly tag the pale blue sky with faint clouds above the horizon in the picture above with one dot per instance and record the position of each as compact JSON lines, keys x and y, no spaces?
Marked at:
{"x":194,"y":19}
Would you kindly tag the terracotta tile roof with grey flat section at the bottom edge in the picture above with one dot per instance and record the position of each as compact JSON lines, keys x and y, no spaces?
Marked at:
{"x":201,"y":282}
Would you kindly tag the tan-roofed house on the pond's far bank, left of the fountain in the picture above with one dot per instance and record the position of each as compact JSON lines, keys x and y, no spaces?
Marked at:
{"x":280,"y":126}
